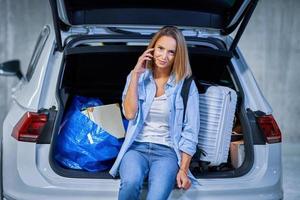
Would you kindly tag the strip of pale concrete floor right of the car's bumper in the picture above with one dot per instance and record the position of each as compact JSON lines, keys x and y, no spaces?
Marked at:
{"x":291,"y":162}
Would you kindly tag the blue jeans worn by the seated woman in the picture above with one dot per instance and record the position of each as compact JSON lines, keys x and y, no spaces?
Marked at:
{"x":155,"y":161}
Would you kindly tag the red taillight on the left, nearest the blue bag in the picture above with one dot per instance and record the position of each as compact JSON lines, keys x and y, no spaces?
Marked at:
{"x":30,"y":127}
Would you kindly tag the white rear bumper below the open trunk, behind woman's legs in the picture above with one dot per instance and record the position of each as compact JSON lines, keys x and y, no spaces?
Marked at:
{"x":34,"y":179}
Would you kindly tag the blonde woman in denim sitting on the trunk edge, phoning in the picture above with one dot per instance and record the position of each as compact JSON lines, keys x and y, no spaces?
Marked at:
{"x":159,"y":144}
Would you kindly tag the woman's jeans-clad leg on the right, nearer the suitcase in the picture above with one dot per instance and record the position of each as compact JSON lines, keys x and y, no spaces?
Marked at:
{"x":162,"y":174}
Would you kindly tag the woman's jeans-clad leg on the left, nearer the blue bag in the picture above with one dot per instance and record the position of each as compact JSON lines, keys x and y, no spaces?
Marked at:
{"x":133,"y":168}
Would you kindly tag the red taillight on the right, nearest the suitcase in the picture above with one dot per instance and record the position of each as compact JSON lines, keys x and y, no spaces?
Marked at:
{"x":269,"y":128}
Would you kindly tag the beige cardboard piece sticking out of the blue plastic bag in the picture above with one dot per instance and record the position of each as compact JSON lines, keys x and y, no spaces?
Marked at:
{"x":107,"y":117}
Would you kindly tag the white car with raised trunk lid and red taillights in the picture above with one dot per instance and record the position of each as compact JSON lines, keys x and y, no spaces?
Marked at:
{"x":90,"y":50}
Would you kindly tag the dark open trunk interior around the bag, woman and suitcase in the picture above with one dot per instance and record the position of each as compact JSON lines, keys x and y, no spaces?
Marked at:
{"x":99,"y":69}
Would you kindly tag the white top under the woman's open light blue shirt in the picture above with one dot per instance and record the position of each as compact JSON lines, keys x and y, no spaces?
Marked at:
{"x":156,"y":126}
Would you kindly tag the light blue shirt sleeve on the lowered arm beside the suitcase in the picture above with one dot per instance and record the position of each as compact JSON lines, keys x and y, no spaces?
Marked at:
{"x":191,"y":124}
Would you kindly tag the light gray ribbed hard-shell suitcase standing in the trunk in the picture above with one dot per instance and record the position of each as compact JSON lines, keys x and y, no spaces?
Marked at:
{"x":217,"y":109}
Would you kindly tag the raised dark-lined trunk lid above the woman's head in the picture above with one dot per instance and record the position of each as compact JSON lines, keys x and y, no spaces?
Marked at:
{"x":223,"y":16}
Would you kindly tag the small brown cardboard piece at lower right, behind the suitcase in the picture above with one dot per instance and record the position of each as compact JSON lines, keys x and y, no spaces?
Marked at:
{"x":237,"y":153}
